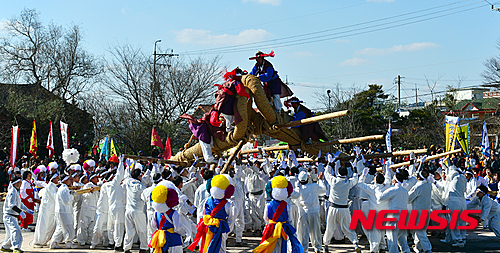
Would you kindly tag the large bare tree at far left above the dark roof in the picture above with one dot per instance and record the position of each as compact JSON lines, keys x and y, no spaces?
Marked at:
{"x":47,"y":55}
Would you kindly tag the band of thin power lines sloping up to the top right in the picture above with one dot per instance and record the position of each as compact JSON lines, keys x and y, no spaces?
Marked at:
{"x":287,"y":42}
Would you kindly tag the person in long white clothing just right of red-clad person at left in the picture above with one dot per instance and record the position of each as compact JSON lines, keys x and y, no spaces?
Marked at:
{"x":46,"y":221}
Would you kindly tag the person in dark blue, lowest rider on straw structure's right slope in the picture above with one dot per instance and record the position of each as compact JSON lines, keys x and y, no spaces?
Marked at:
{"x":309,"y":132}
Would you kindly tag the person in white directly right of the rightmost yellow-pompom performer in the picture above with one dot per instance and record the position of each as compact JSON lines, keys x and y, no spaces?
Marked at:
{"x":308,"y":224}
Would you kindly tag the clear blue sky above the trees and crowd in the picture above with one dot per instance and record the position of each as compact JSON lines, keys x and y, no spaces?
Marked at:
{"x":317,"y":43}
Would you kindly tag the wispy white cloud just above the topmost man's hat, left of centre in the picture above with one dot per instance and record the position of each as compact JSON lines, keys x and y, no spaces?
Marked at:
{"x":204,"y":37}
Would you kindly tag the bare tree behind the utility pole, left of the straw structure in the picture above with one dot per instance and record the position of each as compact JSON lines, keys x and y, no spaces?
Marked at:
{"x":181,"y":85}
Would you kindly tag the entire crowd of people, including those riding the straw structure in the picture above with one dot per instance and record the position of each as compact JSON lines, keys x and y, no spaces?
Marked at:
{"x":166,"y":208}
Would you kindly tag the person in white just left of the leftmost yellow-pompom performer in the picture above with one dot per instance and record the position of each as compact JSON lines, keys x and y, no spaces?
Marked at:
{"x":135,"y":218}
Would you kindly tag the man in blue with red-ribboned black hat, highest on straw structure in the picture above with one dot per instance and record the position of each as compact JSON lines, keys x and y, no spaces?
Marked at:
{"x":269,"y":77}
